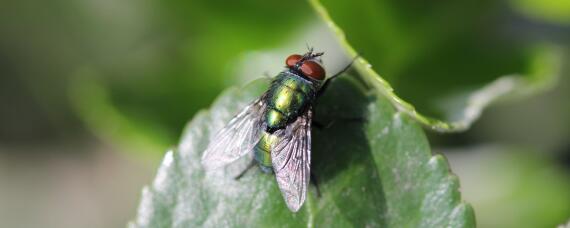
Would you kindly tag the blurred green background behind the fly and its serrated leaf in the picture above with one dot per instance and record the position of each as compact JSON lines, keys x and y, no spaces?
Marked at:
{"x":94,"y":91}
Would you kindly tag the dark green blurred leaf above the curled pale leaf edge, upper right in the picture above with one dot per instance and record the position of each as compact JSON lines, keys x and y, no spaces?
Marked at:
{"x":431,"y":50}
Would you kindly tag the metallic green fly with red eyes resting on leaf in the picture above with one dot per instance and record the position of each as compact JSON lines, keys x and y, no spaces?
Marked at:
{"x":277,"y":128}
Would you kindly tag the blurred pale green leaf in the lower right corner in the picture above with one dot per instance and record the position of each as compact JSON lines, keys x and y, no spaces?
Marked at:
{"x":512,"y":186}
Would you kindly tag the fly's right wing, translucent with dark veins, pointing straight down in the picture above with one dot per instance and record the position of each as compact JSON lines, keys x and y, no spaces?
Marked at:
{"x":291,"y":160}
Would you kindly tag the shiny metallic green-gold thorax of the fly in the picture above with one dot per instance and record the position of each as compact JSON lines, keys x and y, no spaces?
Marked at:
{"x":288,"y":97}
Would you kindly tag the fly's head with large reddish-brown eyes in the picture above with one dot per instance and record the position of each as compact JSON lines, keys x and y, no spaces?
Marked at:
{"x":307,"y":65}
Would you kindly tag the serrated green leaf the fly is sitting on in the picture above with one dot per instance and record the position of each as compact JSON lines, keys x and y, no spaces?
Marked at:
{"x":378,"y":172}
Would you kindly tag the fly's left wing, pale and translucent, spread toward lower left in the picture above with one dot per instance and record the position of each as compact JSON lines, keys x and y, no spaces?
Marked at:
{"x":237,"y":138}
